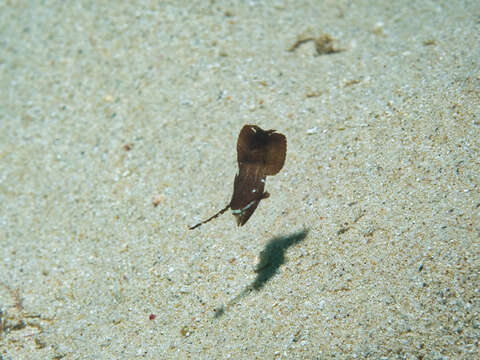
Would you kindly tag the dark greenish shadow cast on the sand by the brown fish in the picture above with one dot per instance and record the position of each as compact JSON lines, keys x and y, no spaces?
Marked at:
{"x":271,"y":258}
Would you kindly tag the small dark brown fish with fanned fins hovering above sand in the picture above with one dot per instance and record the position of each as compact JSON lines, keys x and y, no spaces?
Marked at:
{"x":260,"y":153}
